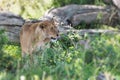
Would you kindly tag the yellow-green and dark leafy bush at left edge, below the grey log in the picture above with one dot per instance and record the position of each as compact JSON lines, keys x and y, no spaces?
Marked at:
{"x":8,"y":53}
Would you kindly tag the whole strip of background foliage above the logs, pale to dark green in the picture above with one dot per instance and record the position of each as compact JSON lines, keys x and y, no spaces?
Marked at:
{"x":34,"y":9}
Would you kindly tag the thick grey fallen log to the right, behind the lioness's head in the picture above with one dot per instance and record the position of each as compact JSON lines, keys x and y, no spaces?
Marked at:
{"x":76,"y":14}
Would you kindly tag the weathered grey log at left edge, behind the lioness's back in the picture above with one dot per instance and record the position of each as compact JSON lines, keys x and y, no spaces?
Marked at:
{"x":11,"y":23}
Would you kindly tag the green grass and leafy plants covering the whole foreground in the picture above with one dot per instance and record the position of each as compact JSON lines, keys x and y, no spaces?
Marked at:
{"x":64,"y":60}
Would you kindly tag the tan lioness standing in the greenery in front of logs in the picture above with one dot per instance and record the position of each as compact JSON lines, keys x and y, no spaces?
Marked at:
{"x":35,"y":35}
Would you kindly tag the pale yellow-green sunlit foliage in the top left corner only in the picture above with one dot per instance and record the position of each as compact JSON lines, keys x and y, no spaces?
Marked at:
{"x":27,"y":8}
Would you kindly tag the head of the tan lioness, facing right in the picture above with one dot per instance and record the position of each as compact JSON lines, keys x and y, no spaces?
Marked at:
{"x":48,"y":29}
